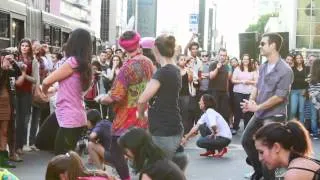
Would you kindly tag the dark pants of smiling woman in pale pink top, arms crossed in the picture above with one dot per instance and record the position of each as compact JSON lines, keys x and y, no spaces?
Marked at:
{"x":238,"y":114}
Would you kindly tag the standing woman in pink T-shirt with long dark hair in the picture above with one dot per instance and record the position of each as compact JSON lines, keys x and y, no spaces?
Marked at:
{"x":74,"y":77}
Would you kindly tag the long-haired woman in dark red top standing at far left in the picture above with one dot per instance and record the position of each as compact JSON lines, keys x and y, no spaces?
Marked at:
{"x":24,"y":87}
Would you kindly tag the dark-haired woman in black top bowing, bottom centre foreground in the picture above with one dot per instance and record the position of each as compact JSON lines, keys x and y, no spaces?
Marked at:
{"x":147,"y":158}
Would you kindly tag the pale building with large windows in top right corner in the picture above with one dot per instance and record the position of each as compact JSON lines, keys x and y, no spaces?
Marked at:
{"x":301,"y":18}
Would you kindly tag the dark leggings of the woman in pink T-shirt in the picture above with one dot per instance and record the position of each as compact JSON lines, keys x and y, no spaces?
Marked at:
{"x":66,"y":139}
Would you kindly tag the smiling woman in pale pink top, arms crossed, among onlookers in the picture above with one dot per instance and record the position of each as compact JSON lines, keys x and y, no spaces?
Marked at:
{"x":244,"y":78}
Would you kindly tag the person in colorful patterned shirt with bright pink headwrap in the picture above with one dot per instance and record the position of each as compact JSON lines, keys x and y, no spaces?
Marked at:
{"x":125,"y":91}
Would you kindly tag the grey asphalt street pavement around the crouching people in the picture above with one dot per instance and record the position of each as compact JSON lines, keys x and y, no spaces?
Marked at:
{"x":231,"y":166}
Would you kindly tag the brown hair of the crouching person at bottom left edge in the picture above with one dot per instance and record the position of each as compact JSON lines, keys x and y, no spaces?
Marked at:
{"x":71,"y":163}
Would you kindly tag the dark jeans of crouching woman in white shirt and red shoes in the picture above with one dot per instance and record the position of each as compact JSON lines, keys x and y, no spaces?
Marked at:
{"x":211,"y":144}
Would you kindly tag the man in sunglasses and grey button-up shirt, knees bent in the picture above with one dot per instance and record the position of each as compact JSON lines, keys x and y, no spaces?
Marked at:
{"x":268,"y":100}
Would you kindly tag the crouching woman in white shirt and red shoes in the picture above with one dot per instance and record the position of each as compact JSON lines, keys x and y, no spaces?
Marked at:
{"x":214,"y":130}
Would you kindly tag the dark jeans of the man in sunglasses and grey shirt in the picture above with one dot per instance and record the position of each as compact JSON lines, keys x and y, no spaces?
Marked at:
{"x":249,"y":145}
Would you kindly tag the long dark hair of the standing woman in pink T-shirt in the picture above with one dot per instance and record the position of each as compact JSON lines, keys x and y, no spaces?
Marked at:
{"x":79,"y":45}
